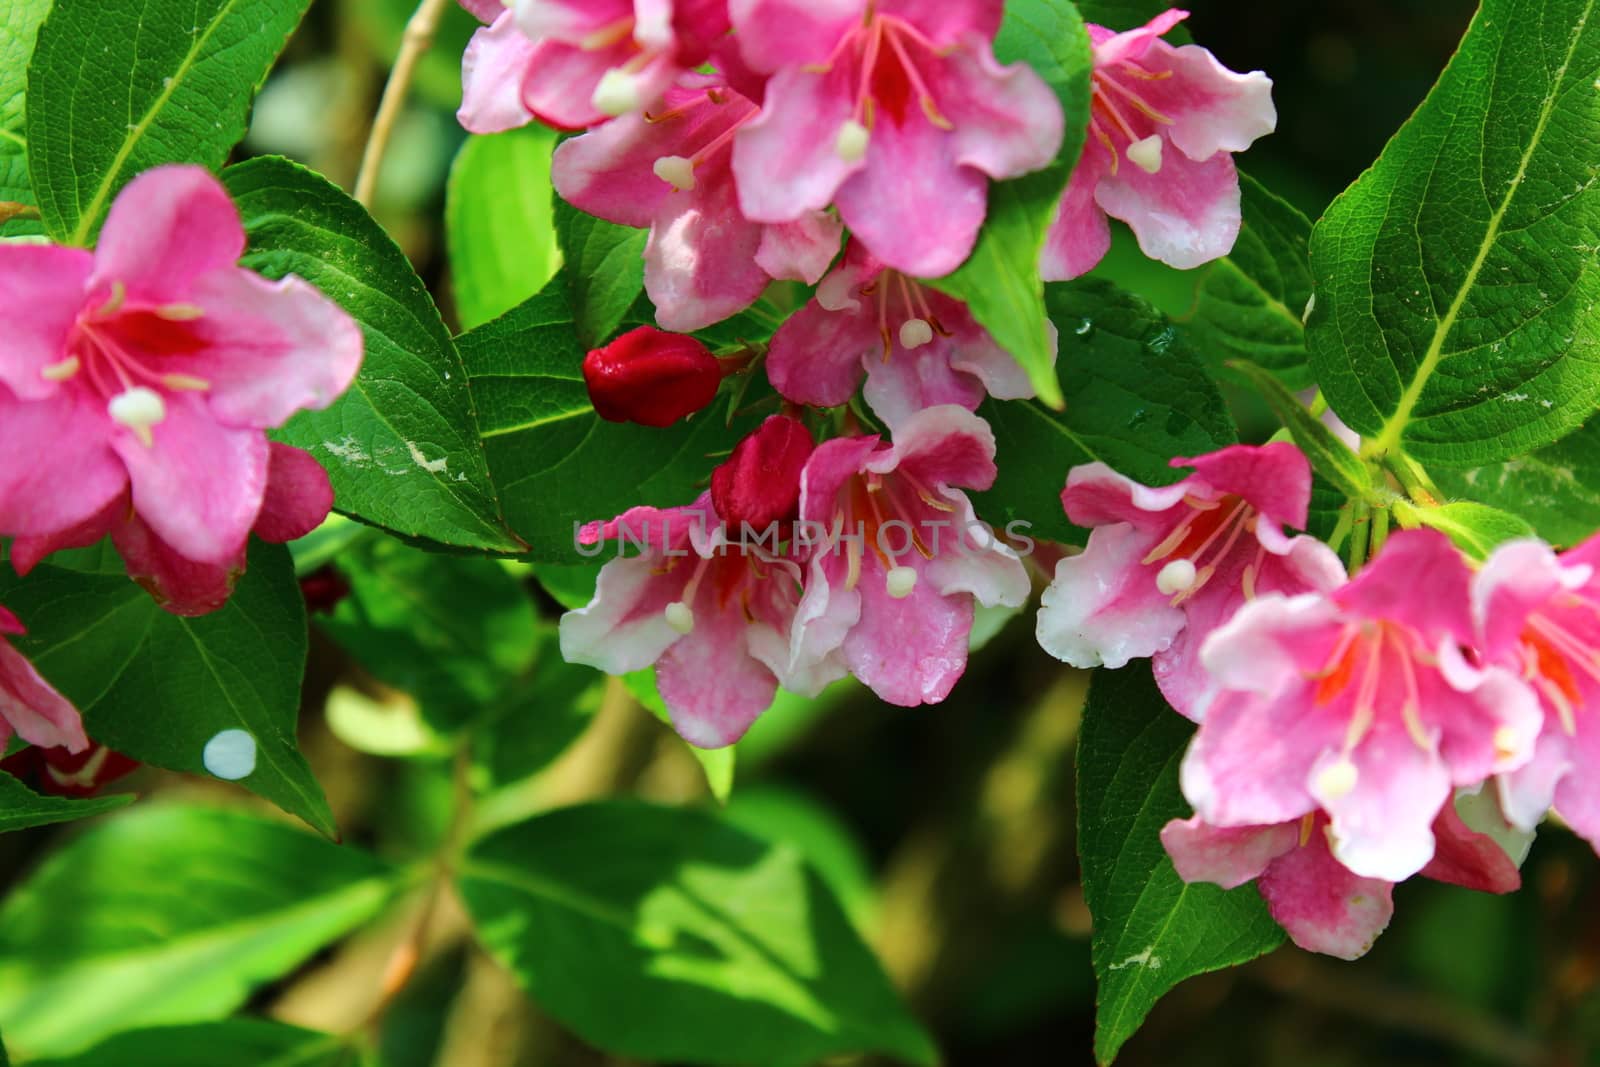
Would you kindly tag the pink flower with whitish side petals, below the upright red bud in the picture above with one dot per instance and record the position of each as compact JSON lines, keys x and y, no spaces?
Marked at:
{"x":714,"y":618}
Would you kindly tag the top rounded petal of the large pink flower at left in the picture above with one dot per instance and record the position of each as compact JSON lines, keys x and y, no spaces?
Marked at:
{"x":167,"y":228}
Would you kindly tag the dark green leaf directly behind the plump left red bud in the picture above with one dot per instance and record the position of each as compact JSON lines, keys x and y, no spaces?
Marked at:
{"x":558,"y":465}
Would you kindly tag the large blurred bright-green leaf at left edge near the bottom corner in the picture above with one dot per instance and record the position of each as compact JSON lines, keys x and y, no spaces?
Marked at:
{"x":170,"y":914}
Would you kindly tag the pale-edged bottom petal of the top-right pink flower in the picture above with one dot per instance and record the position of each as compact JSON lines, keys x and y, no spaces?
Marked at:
{"x":1185,"y":215}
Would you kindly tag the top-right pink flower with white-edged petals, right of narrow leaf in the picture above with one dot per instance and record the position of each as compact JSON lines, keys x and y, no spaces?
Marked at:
{"x":1164,"y":126}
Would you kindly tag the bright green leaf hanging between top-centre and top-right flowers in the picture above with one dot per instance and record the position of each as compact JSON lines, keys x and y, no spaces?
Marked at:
{"x":1001,"y":281}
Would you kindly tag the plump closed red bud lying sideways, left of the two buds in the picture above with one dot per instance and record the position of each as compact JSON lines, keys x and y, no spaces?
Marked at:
{"x":652,"y":378}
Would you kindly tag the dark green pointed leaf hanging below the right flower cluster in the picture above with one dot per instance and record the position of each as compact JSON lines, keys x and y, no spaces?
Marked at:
{"x":1151,"y":929}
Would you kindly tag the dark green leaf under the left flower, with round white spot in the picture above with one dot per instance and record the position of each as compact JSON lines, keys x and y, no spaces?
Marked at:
{"x":159,"y":687}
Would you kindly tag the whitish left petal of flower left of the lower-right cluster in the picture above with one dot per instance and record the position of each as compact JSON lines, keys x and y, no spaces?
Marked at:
{"x":1103,"y":607}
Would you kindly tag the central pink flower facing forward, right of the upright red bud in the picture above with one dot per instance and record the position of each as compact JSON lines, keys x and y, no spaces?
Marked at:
{"x":905,"y":557}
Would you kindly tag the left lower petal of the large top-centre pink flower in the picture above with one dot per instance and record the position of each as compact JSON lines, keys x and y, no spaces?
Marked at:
{"x":785,"y":159}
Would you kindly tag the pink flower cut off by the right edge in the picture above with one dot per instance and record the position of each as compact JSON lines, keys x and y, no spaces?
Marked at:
{"x":1540,"y":615}
